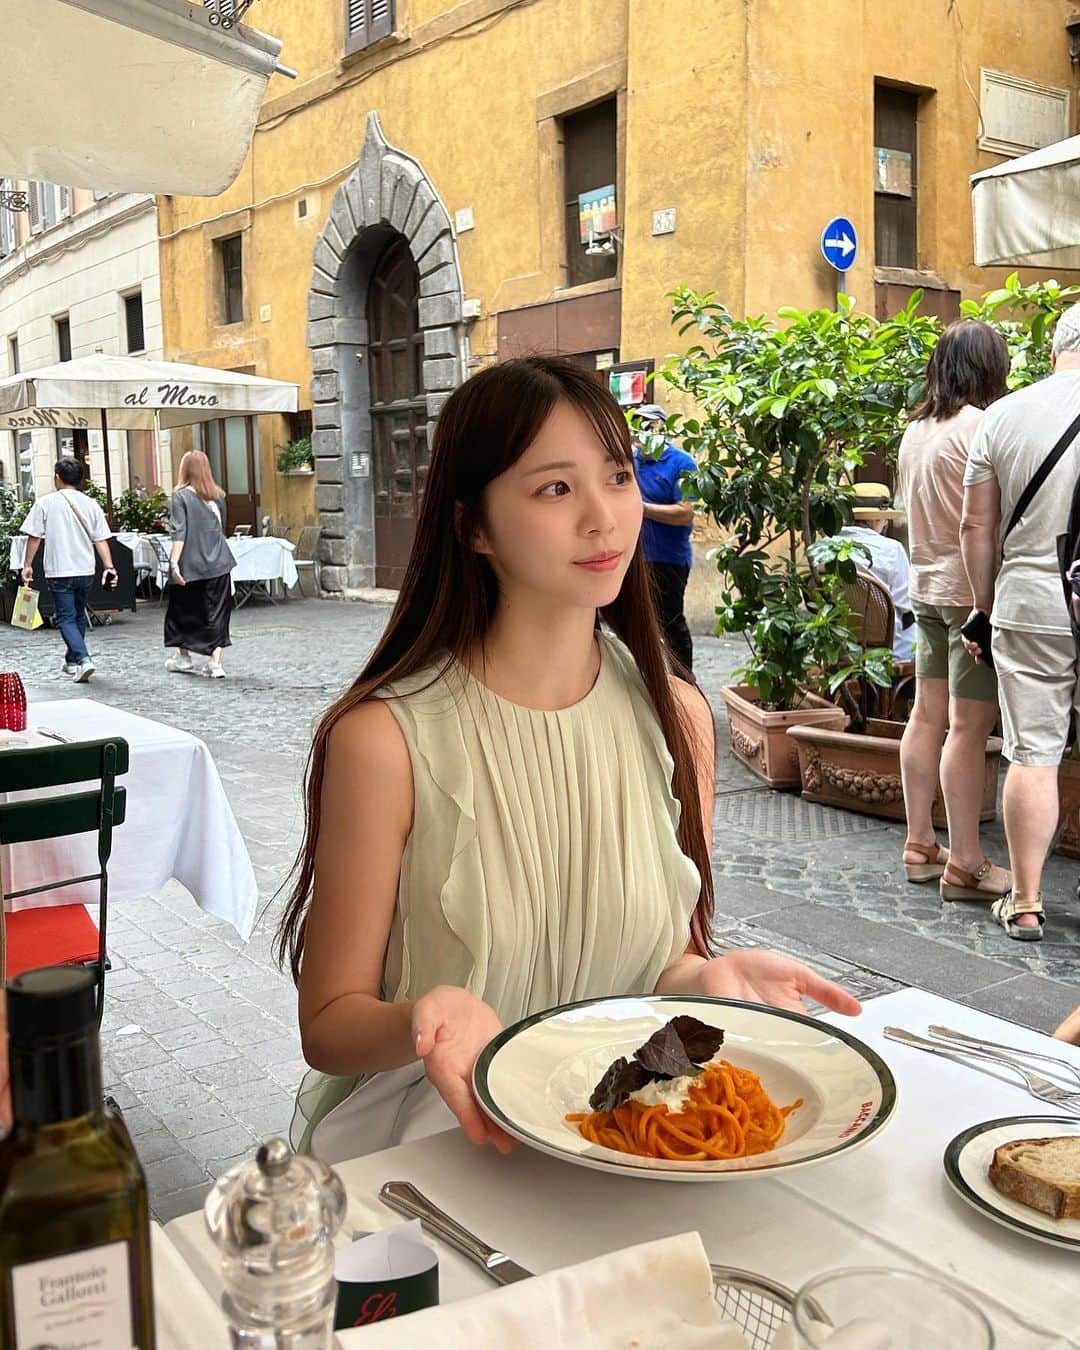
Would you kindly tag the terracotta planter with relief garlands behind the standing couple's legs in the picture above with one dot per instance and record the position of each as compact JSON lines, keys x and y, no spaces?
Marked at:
{"x":862,"y":772}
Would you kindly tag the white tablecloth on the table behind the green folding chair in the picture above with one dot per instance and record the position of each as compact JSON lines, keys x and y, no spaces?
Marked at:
{"x":179,"y":823}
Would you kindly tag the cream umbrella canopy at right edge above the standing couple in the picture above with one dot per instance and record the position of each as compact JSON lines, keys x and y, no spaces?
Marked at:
{"x":1028,"y":210}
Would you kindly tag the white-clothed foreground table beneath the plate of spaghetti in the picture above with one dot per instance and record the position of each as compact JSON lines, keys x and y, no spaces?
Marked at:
{"x":886,"y":1204}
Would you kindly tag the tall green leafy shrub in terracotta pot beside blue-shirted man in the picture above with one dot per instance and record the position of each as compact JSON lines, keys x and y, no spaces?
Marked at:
{"x":786,"y":415}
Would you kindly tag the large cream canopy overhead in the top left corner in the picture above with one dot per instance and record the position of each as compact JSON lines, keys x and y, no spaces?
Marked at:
{"x":132,"y":95}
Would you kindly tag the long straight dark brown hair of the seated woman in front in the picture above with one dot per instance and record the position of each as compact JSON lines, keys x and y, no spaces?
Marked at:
{"x":450,"y":595}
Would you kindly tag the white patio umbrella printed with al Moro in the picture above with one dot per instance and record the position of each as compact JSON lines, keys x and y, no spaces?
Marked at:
{"x":129,"y":394}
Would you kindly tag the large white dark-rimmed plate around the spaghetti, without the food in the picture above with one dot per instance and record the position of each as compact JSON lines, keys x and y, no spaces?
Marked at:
{"x":538,"y":1071}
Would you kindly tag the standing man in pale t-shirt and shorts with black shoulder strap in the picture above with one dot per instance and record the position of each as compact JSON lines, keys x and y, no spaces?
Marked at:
{"x":1035,"y":654}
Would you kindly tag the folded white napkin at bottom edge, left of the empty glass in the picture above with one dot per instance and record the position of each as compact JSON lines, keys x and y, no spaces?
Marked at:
{"x":654,"y":1297}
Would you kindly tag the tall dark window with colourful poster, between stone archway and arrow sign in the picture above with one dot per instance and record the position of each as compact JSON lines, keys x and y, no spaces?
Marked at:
{"x":589,"y":168}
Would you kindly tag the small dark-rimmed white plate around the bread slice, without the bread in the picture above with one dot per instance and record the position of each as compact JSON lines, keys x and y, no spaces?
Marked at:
{"x":967,"y":1167}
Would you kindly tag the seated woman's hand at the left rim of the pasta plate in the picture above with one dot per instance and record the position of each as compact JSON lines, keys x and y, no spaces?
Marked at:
{"x":450,"y":1029}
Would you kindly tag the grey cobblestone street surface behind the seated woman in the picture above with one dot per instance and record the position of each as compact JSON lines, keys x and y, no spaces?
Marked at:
{"x":200,"y":1036}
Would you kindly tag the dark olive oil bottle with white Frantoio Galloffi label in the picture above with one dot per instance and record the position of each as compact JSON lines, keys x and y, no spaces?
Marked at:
{"x":75,"y":1221}
